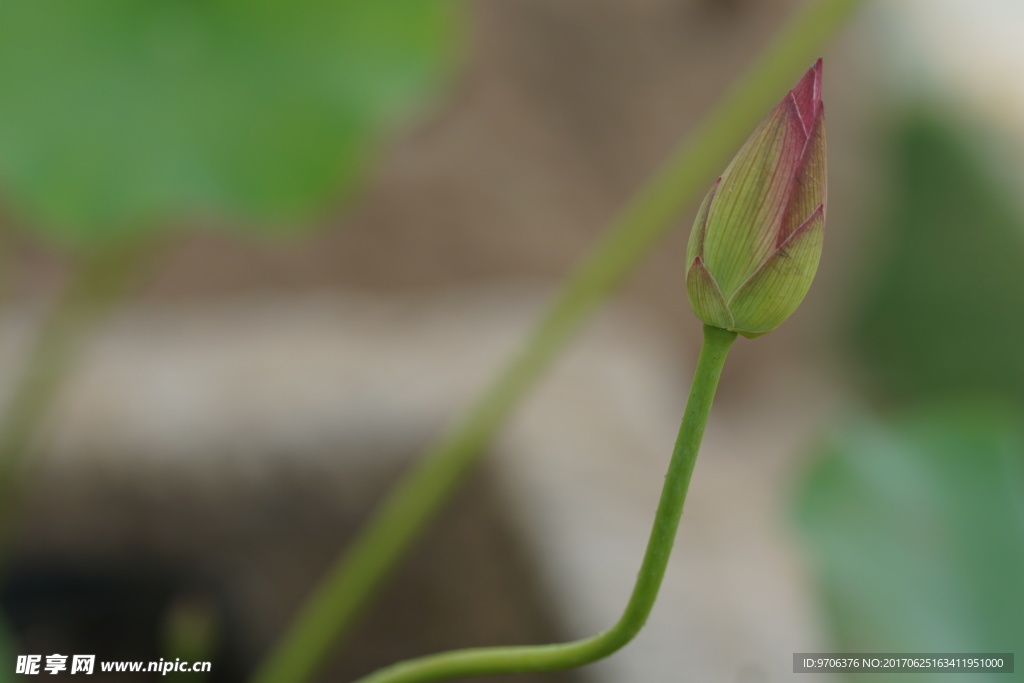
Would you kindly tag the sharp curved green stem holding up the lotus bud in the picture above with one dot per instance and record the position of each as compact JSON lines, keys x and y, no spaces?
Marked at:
{"x":486,"y":661}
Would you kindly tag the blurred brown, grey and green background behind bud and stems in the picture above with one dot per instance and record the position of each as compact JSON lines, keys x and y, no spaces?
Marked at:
{"x":351,"y":215}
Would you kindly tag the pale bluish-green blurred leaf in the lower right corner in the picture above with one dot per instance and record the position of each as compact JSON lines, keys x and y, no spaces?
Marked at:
{"x":916,"y":531}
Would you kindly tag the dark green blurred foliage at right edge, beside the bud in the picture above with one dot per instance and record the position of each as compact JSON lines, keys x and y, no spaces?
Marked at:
{"x":945,"y":307}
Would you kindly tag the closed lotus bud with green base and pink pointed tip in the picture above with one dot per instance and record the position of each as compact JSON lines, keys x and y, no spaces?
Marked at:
{"x":757,"y":239}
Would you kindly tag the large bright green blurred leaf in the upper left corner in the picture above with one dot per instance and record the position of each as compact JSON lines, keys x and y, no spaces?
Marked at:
{"x":118,"y":114}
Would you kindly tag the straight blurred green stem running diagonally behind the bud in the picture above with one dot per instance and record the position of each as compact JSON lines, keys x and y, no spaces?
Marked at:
{"x":355,"y":579}
